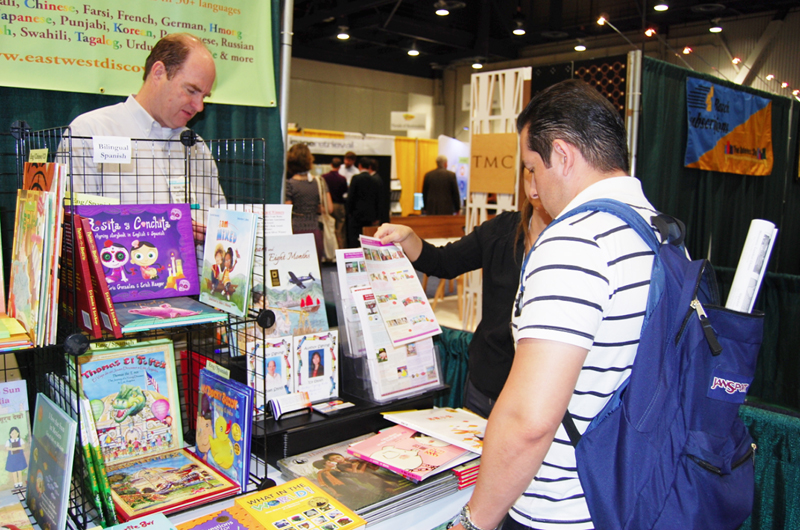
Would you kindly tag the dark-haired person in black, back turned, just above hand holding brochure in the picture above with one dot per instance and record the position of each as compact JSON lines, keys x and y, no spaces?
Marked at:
{"x":365,"y":201}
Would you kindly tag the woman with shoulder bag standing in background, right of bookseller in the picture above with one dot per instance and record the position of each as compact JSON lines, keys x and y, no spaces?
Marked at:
{"x":302,"y":192}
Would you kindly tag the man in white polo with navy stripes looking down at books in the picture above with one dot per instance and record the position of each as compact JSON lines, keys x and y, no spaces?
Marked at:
{"x":577,"y":319}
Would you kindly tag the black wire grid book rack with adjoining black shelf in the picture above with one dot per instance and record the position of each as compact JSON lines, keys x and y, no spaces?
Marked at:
{"x":204,"y":174}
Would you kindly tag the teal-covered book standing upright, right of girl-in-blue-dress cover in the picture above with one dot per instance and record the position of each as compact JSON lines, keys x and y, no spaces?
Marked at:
{"x":50,"y":467}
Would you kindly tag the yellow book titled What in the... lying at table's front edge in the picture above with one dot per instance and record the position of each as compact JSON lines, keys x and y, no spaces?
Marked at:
{"x":299,"y":503}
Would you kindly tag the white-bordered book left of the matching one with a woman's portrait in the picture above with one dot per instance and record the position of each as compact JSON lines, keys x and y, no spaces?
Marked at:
{"x":270,"y":369}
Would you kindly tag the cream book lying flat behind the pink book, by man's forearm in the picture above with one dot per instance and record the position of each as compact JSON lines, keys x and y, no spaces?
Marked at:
{"x":456,"y":426}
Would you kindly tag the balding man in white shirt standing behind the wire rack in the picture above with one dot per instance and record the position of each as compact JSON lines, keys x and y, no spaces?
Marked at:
{"x":178,"y":76}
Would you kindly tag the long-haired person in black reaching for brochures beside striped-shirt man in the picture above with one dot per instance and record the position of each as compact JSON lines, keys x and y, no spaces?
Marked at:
{"x":498,"y":246}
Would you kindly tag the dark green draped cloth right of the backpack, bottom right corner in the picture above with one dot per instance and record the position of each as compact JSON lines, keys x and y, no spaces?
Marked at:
{"x":777,"y":460}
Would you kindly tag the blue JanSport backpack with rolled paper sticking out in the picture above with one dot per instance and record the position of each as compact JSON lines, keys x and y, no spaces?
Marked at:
{"x":669,"y":450}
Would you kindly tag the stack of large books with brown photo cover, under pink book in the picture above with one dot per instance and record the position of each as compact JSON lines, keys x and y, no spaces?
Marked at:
{"x":373,"y":492}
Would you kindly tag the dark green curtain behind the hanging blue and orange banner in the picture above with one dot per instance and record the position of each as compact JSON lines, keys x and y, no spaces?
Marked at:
{"x":716,"y":207}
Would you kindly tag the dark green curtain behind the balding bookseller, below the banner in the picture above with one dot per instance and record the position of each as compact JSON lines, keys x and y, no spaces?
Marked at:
{"x":46,"y":109}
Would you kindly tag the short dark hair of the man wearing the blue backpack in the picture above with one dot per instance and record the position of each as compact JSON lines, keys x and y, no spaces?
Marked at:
{"x":575,"y":112}
